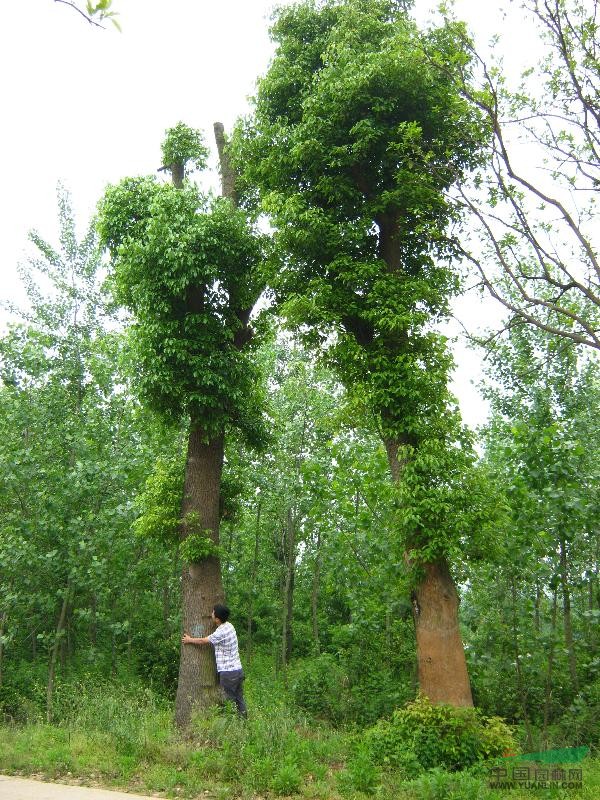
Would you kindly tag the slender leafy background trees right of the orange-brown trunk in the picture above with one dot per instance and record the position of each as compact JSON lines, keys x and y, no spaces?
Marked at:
{"x":531,"y":615}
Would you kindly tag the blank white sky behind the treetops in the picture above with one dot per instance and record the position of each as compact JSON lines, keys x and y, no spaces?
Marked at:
{"x":87,"y":107}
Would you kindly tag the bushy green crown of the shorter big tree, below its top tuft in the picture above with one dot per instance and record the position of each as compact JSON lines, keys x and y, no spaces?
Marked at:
{"x":189,"y":270}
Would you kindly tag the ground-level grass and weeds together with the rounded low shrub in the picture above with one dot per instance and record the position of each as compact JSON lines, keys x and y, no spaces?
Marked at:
{"x":119,"y":733}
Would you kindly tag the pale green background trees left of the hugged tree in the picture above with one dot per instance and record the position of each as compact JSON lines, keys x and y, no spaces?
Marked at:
{"x":74,"y":449}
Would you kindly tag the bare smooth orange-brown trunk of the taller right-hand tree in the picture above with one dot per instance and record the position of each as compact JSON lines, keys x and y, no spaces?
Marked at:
{"x":441,"y":663}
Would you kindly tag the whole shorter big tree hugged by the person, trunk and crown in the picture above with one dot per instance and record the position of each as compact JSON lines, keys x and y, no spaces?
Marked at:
{"x":188,"y":268}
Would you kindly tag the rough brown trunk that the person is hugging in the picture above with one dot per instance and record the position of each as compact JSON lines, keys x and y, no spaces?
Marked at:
{"x":197,"y":686}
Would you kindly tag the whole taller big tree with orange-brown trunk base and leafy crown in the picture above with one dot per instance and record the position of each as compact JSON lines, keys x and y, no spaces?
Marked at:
{"x":357,"y":134}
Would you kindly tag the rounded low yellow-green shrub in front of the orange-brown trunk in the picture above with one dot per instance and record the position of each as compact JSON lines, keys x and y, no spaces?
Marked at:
{"x":437,"y":736}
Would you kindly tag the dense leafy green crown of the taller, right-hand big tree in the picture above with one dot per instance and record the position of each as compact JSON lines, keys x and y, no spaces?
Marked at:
{"x":357,"y":134}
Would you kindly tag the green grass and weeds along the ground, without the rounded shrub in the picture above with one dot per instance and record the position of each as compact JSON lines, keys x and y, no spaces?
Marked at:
{"x":122,"y":736}
